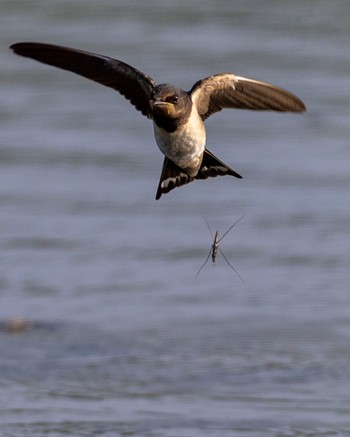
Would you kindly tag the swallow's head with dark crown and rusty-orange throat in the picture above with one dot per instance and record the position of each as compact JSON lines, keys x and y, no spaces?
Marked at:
{"x":169,"y":102}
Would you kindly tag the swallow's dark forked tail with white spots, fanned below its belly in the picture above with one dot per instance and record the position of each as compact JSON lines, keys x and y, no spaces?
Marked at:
{"x":173,"y":176}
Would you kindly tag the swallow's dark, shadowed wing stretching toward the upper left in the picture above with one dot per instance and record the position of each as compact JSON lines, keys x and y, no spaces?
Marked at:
{"x":134,"y":85}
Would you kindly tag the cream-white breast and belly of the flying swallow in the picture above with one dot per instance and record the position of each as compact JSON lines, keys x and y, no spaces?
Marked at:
{"x":186,"y":145}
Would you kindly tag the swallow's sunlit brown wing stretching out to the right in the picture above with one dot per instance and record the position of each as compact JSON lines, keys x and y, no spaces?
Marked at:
{"x":225,"y":90}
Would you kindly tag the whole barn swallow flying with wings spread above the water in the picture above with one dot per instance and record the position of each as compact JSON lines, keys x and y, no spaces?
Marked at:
{"x":178,"y":116}
